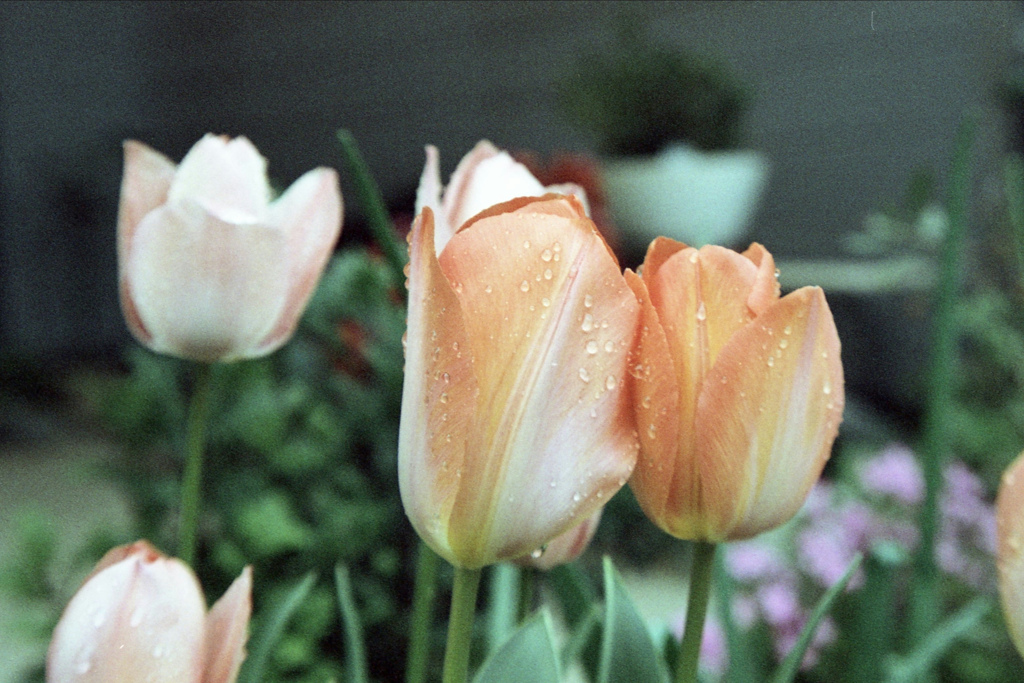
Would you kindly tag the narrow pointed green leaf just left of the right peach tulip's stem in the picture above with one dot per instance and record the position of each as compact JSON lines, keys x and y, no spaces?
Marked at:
{"x":628,"y":654}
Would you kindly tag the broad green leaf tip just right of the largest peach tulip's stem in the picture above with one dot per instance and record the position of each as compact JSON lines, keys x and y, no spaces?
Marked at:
{"x":530,"y":652}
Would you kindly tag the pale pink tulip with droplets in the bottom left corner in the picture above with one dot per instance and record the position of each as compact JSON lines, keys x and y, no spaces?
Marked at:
{"x":142,"y":617}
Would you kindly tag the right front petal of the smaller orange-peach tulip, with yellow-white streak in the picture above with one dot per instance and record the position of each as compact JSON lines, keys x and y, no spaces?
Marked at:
{"x":770,"y":411}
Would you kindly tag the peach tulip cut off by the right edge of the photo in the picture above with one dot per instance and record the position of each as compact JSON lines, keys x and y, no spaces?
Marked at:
{"x":1010,"y":559}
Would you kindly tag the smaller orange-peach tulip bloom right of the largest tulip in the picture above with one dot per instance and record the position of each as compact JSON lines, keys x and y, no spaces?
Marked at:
{"x":739,"y":393}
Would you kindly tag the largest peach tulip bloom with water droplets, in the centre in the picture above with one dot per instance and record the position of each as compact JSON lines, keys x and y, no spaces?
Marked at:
{"x":517,"y":424}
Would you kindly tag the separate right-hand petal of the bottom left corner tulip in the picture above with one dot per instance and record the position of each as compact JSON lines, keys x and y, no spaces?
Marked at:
{"x":227,"y":631}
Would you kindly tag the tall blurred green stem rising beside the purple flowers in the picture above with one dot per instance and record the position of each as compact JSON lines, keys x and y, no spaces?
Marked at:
{"x":935,"y":440}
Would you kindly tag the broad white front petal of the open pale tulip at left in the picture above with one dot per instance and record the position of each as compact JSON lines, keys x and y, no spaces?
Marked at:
{"x":205,"y":289}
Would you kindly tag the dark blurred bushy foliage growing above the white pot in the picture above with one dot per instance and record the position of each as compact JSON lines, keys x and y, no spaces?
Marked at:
{"x":643,"y":95}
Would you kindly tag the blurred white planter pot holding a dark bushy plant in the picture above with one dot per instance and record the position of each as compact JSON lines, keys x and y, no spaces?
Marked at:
{"x":695,"y":197}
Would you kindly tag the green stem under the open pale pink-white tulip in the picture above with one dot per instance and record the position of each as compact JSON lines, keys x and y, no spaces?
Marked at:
{"x":193,"y":479}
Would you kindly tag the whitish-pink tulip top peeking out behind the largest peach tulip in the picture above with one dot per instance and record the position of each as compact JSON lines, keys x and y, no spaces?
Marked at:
{"x":485,"y":178}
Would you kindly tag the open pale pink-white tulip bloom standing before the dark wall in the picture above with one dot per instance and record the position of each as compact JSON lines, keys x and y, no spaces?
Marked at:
{"x":211,"y":269}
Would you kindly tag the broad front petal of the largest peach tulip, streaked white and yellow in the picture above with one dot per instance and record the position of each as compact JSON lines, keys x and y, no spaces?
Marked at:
{"x":550,"y":322}
